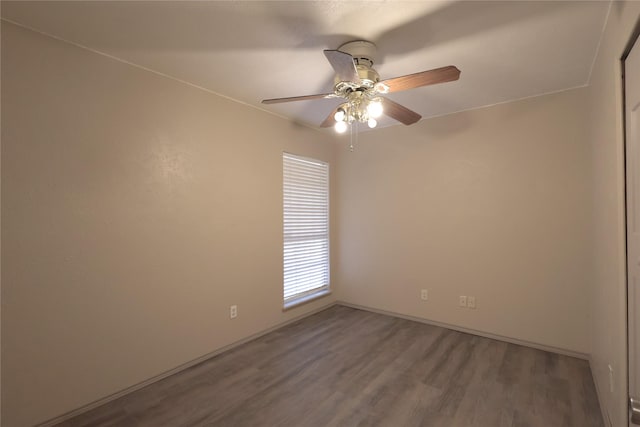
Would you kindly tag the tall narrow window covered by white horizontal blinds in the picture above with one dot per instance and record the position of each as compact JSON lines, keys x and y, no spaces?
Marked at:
{"x":306,"y":228}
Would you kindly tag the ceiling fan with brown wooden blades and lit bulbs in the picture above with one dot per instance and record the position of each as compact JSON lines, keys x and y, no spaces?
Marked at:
{"x":361,"y":88}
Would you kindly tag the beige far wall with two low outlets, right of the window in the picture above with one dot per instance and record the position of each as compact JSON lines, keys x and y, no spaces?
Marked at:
{"x":491,"y":203}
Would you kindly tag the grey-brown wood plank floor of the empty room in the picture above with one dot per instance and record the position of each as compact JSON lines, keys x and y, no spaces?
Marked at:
{"x":348,"y":367}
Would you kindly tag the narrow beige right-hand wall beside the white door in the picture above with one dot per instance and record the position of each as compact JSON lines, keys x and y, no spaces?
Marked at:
{"x":606,"y":141}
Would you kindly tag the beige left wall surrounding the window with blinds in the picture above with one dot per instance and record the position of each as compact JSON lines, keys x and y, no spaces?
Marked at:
{"x":135,"y":210}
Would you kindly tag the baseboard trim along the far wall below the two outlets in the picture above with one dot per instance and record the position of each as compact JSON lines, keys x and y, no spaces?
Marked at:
{"x":510,"y":340}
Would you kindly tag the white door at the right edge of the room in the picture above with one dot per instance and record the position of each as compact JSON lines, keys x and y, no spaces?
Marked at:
{"x":632,"y":111}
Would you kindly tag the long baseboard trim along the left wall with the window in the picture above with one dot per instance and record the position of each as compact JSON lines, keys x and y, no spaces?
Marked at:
{"x":68,"y":415}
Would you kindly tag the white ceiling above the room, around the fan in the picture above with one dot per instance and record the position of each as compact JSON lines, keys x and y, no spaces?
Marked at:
{"x":250,"y":51}
